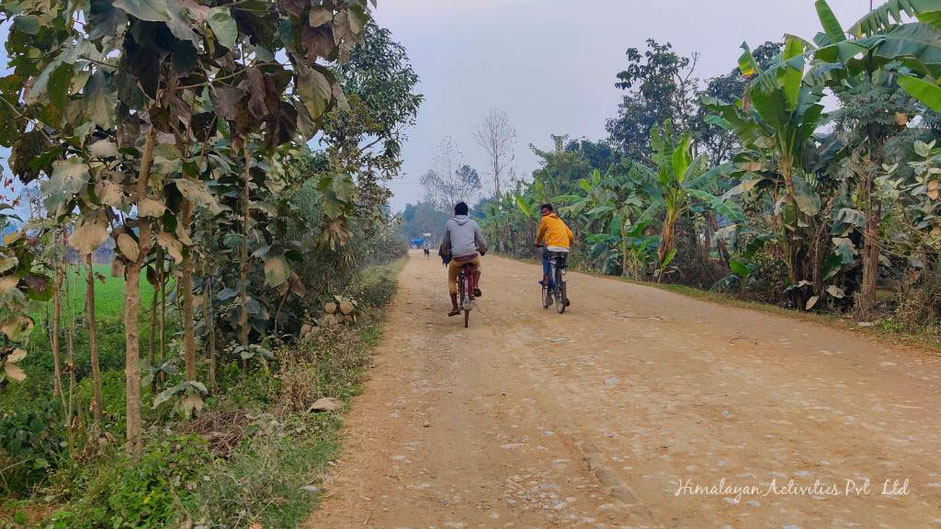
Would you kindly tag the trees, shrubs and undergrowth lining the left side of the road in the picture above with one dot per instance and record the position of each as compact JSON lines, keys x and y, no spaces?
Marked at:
{"x":197,"y":257}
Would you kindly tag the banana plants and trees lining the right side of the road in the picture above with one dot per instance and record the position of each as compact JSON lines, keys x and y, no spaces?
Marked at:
{"x":745,"y":184}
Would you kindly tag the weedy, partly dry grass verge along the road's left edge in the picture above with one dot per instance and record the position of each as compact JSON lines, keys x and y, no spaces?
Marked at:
{"x":268,"y":475}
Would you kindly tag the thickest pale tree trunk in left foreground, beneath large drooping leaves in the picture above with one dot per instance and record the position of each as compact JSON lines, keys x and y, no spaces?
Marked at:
{"x":131,"y":306}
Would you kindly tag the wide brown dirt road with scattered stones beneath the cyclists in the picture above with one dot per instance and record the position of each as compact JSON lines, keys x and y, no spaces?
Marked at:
{"x":612,"y":414}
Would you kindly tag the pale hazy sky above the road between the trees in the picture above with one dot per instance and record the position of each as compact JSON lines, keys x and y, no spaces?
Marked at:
{"x":551,"y":64}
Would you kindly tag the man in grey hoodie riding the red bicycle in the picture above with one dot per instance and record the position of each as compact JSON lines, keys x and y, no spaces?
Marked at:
{"x":463,"y":243}
